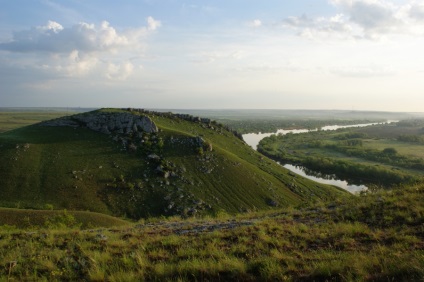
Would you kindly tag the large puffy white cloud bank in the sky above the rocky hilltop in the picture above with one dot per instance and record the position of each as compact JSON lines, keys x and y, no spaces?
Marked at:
{"x":80,"y":50}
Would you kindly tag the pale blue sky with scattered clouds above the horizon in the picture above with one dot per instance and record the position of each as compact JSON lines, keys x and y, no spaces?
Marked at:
{"x":222,"y":54}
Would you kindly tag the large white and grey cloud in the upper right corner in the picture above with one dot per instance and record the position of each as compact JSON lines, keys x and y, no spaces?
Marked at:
{"x":367,"y":19}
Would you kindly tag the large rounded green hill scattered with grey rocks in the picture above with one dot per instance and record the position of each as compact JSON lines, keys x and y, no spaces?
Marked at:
{"x":135,"y":164}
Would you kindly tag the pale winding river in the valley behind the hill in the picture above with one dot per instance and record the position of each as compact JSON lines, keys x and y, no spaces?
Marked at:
{"x":253,"y":140}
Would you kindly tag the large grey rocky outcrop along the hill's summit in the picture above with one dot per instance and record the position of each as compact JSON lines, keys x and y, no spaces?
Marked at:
{"x":108,"y":122}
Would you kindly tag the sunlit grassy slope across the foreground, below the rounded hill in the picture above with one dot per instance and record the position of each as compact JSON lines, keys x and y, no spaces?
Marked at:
{"x":375,"y":237}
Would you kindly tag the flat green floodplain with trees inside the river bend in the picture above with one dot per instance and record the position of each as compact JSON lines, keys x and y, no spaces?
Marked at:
{"x":376,"y":155}
